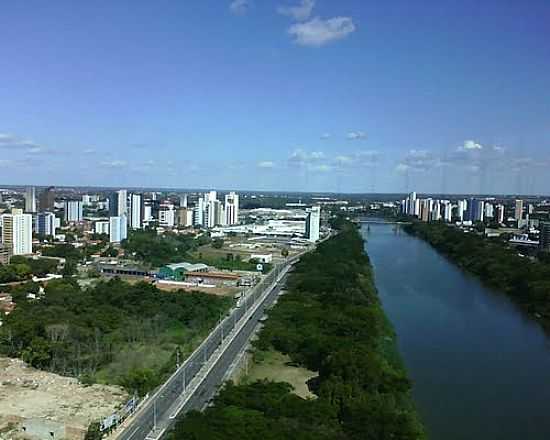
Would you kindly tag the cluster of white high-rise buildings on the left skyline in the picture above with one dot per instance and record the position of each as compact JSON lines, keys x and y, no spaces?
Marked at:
{"x":44,"y":215}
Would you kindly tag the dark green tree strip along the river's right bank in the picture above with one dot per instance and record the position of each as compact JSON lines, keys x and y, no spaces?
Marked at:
{"x":525,"y":280}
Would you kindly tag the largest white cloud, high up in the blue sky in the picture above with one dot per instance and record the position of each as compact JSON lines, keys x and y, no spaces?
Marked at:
{"x":318,"y":32}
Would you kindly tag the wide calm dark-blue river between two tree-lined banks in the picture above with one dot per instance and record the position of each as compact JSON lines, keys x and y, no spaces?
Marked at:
{"x":480,"y":367}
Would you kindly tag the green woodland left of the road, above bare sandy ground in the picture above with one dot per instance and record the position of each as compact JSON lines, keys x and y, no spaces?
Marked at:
{"x":83,"y":333}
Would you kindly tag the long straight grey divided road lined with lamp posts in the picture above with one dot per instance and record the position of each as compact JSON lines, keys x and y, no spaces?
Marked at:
{"x":197,"y":380}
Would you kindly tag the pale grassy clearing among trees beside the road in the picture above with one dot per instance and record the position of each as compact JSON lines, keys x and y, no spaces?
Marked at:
{"x":275,"y":366}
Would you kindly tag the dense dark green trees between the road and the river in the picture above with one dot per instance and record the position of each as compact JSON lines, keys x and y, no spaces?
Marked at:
{"x":331,"y":322}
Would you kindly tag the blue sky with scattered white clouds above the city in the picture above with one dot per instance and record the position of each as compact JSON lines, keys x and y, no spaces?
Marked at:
{"x":312,"y":95}
